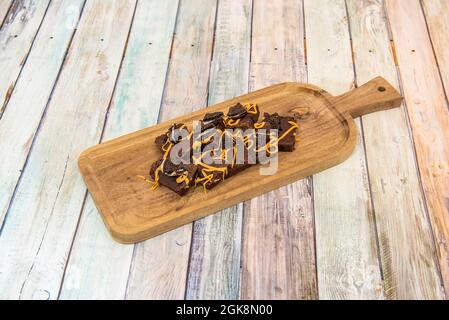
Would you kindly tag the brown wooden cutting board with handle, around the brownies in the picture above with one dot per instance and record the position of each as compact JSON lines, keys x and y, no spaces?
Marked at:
{"x":133,"y":213}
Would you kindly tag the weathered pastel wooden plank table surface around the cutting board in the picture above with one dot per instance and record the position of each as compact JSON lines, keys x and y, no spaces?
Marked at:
{"x":77,"y":72}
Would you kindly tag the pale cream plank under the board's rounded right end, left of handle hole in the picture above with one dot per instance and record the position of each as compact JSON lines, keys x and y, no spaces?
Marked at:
{"x":347,"y":262}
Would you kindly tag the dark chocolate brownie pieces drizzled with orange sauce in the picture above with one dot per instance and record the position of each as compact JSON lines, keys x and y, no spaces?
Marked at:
{"x":220,"y":146}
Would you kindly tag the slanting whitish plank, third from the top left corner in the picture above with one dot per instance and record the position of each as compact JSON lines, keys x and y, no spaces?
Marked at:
{"x":31,"y":93}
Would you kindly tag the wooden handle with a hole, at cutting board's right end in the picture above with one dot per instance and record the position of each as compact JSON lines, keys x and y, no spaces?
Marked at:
{"x":375,"y":95}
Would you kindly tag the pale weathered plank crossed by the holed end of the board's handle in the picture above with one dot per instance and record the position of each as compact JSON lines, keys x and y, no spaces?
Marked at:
{"x":408,"y":263}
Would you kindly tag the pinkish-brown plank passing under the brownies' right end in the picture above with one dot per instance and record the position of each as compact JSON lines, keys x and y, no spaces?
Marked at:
{"x":278,"y":256}
